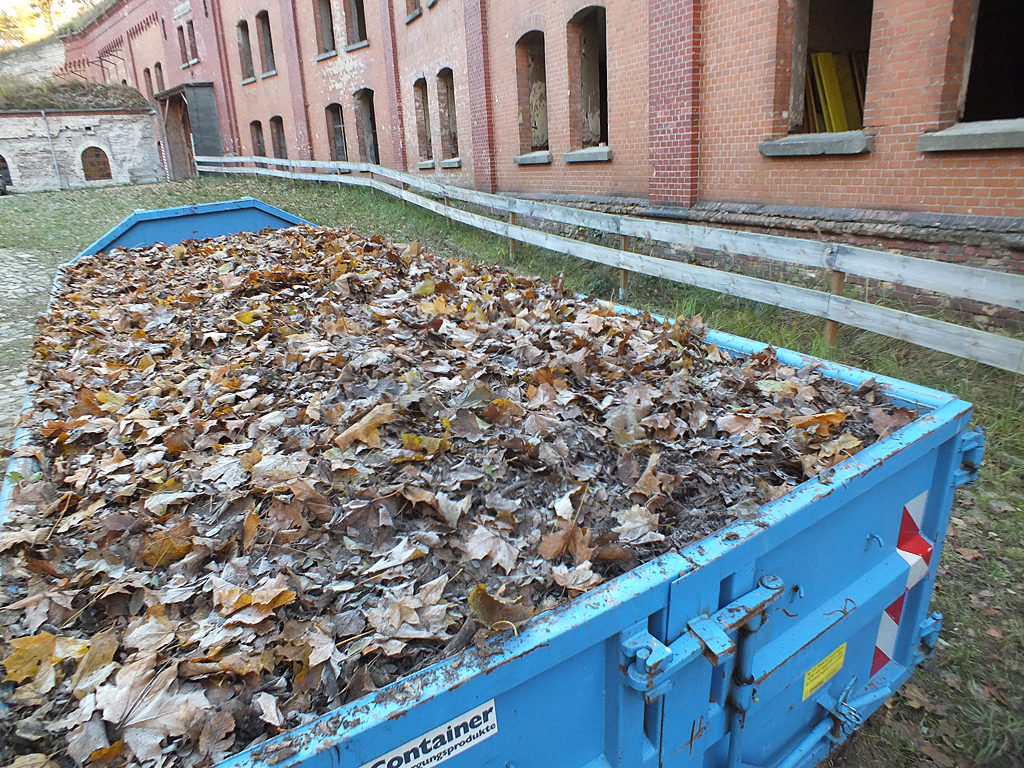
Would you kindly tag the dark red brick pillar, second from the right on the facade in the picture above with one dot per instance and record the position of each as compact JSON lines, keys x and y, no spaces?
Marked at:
{"x":480,"y":95}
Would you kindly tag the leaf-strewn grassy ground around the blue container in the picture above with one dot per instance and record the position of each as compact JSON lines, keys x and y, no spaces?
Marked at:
{"x":963,"y":708}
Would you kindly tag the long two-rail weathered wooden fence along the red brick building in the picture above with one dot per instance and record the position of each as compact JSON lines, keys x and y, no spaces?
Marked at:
{"x":957,"y":281}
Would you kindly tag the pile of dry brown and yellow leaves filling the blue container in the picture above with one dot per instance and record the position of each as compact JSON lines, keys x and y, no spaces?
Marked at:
{"x":282,"y":470}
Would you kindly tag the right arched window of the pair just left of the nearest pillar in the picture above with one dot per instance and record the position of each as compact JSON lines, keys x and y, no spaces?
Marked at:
{"x":588,"y":61}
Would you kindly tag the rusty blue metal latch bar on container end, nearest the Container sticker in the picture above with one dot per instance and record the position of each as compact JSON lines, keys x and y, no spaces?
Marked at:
{"x":651,"y":664}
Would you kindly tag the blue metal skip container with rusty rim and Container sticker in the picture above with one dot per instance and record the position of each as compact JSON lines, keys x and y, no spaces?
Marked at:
{"x":762,"y":647}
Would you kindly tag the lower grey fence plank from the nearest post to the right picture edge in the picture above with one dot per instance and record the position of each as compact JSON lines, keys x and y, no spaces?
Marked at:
{"x":993,"y":350}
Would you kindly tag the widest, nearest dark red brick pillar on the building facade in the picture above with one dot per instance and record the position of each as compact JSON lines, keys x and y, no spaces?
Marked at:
{"x":674,"y":83}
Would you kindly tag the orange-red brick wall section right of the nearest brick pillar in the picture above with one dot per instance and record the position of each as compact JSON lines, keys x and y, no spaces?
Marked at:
{"x":914,"y":74}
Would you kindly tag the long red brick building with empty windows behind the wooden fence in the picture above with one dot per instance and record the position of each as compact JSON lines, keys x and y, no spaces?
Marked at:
{"x":867,"y":118}
